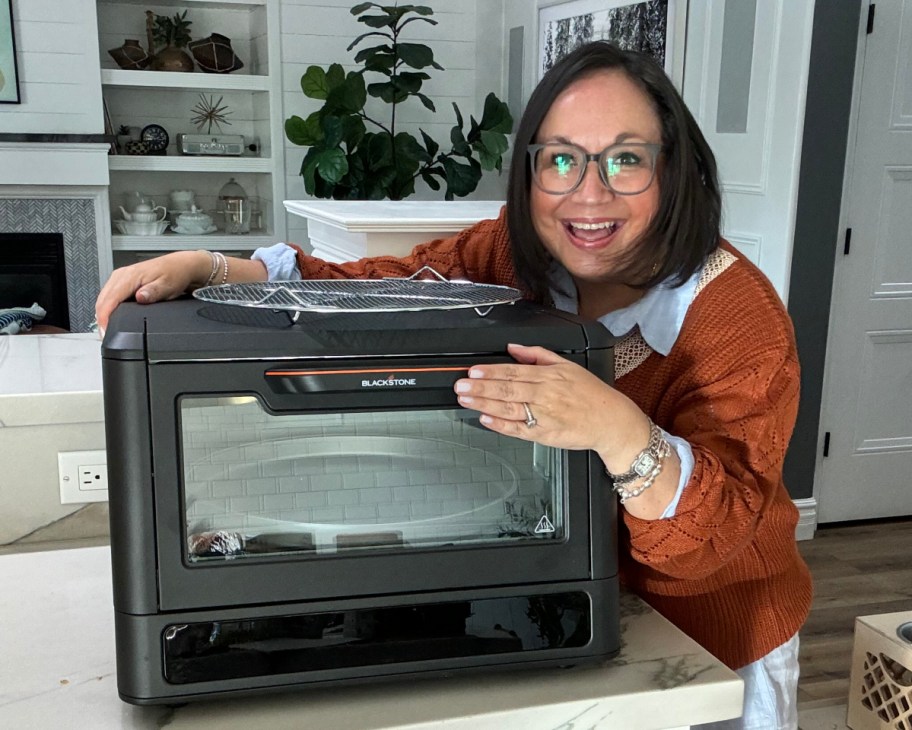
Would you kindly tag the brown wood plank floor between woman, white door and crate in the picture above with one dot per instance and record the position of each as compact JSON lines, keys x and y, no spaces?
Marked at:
{"x":859,"y":569}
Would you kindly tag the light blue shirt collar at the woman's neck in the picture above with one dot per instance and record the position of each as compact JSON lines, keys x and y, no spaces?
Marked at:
{"x":659,"y":313}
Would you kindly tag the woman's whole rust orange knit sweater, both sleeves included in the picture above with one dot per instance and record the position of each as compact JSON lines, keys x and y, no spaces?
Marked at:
{"x":725,"y":569}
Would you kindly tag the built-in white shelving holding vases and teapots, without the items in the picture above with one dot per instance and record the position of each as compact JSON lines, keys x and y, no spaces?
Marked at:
{"x":251,"y":96}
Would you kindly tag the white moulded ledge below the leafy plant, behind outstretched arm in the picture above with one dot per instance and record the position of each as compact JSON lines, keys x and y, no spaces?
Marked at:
{"x":347,"y":230}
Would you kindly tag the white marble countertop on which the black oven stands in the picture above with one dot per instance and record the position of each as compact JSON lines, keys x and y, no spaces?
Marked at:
{"x":57,"y":645}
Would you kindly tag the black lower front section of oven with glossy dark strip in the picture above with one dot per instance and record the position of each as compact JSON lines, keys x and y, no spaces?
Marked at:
{"x":201,"y":655}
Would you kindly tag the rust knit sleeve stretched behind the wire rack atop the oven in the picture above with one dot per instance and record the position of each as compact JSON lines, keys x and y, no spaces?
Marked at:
{"x":480,"y":253}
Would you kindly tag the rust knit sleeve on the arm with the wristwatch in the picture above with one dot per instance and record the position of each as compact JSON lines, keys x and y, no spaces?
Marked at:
{"x":736,"y":404}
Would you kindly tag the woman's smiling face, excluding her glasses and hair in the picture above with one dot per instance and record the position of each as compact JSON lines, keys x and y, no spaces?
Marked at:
{"x":587,"y":229}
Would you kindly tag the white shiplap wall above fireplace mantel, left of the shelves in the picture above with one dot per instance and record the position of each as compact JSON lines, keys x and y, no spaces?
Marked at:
{"x":59,"y":77}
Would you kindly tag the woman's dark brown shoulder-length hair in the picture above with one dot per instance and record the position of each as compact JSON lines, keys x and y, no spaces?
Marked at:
{"x":685,"y":229}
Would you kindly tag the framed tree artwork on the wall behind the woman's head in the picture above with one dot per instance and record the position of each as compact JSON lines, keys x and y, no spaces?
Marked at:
{"x":656,"y":27}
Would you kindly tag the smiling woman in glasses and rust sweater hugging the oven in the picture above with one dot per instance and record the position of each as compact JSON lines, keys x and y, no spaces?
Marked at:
{"x":613,"y":212}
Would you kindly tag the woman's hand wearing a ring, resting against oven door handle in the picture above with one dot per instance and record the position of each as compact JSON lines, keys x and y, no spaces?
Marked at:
{"x":572,"y":408}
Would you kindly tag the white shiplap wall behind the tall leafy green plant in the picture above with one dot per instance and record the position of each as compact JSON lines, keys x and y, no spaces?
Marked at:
{"x":317,"y":32}
